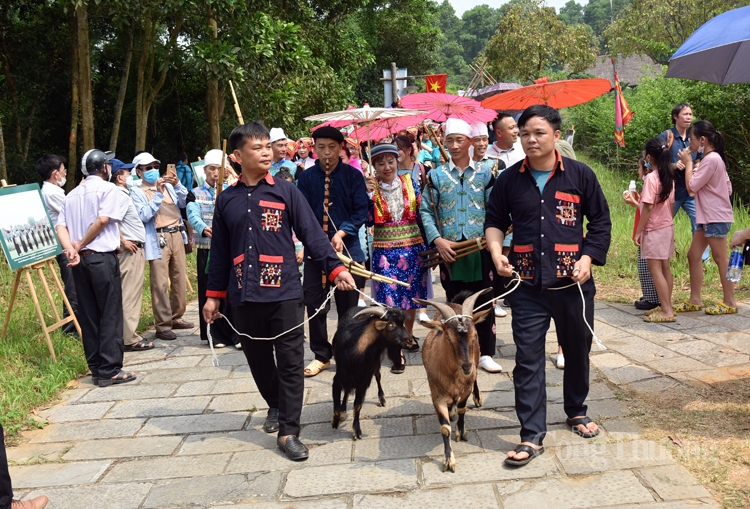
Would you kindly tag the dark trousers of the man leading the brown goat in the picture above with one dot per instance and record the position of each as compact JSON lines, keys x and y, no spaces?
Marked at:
{"x":531,"y":319}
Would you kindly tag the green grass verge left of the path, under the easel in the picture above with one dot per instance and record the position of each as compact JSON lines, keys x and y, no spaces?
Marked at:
{"x":28,"y":377}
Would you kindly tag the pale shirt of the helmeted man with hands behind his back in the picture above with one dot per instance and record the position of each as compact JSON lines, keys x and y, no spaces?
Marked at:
{"x":91,"y":199}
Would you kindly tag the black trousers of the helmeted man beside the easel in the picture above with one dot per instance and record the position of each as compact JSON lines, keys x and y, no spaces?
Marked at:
{"x":97,"y":280}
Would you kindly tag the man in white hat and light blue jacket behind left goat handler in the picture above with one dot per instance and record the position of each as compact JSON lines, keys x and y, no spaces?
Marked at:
{"x":201,"y":215}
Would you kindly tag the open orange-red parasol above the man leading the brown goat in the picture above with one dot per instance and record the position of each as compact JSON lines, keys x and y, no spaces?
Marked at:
{"x":557,"y":94}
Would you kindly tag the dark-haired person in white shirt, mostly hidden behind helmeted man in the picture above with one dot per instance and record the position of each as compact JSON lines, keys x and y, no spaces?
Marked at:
{"x":52,"y":170}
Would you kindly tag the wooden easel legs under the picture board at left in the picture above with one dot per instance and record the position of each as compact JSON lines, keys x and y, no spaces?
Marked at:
{"x":59,"y":322}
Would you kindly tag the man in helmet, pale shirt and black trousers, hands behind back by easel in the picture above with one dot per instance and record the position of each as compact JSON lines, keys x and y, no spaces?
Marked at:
{"x":88,"y":231}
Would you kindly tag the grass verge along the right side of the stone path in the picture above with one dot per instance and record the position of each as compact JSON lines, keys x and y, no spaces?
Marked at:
{"x":707,"y":428}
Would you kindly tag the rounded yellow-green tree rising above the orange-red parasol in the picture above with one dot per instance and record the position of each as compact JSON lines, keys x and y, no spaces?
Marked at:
{"x":531,"y":39}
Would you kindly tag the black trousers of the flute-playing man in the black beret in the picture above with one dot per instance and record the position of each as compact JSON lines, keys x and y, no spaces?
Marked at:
{"x":315,"y":294}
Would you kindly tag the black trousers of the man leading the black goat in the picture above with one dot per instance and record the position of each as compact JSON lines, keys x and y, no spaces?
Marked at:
{"x":281,"y":381}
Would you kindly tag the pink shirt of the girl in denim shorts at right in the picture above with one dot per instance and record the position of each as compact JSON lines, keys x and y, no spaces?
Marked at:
{"x":712,"y":188}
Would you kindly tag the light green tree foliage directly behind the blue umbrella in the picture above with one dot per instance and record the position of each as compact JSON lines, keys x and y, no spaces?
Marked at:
{"x":658,"y":27}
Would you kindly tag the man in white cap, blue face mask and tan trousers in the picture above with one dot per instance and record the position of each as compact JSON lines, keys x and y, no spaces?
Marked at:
{"x":158,"y":201}
